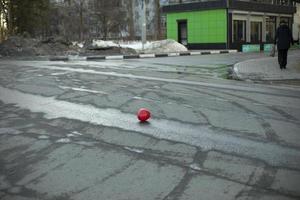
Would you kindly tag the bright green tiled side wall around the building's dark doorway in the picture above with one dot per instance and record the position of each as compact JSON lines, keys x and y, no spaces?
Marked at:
{"x":203,"y":26}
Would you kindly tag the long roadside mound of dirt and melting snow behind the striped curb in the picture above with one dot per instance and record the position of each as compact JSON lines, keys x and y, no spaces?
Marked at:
{"x":20,"y":46}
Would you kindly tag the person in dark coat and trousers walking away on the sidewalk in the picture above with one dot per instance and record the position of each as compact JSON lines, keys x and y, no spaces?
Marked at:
{"x":283,"y":38}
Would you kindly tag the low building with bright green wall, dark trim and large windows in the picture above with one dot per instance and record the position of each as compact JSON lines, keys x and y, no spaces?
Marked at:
{"x":224,"y":24}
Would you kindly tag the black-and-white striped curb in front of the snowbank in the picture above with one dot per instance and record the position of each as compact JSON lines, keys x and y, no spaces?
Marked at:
{"x":138,"y":56}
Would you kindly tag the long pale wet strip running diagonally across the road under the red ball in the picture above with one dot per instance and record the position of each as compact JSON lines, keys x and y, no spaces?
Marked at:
{"x":201,"y":136}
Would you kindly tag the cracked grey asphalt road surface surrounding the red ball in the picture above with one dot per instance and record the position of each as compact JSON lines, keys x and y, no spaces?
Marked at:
{"x":68,"y":130}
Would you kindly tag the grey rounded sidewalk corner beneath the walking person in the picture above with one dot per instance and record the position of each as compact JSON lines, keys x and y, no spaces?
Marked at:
{"x":268,"y":69}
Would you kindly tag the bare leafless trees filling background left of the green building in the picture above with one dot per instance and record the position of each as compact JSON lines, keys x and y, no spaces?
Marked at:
{"x":76,"y":19}
